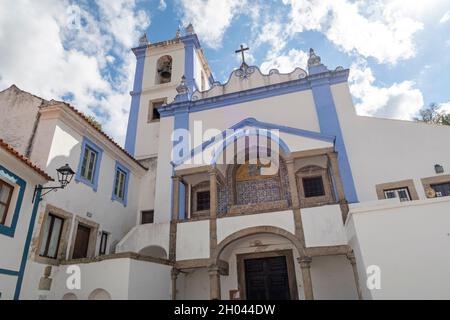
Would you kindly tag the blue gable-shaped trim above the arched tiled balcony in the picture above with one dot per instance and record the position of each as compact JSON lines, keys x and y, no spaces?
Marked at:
{"x":252,"y":122}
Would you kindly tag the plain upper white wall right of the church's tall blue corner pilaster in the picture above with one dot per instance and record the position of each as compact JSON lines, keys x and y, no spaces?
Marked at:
{"x":385,"y":150}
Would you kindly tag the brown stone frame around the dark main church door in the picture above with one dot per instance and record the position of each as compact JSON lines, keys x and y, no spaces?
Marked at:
{"x":292,"y":279}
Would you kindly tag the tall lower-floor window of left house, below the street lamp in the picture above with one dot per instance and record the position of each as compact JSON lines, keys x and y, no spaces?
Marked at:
{"x":51,"y":236}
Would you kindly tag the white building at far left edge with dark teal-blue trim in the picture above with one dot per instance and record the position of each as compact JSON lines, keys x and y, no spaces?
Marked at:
{"x":18,"y":179}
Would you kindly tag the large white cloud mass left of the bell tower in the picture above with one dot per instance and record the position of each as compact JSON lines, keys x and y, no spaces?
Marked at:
{"x":42,"y":56}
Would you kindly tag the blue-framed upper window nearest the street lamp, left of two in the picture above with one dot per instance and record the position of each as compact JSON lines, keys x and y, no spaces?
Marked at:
{"x":89,"y":165}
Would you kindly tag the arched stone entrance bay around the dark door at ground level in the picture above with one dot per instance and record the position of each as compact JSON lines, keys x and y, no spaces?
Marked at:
{"x":262,"y":262}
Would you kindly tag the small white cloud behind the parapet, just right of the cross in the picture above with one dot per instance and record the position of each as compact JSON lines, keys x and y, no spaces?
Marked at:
{"x":286,"y":63}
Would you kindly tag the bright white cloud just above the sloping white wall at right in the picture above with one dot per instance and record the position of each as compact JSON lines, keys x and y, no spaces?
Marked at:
{"x":399,"y":101}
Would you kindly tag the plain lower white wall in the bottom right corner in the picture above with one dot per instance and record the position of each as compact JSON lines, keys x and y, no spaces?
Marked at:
{"x":409,"y":242}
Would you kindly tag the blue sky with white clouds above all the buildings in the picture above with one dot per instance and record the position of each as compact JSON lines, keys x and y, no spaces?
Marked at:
{"x":79,"y":50}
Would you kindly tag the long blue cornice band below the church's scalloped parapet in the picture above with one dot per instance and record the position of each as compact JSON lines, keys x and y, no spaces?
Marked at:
{"x":331,"y":77}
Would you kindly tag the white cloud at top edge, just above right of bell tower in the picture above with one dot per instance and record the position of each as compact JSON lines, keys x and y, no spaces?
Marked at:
{"x":211,"y":18}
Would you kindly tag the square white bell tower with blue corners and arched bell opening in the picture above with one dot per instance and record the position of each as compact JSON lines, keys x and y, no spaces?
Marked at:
{"x":159,"y":69}
